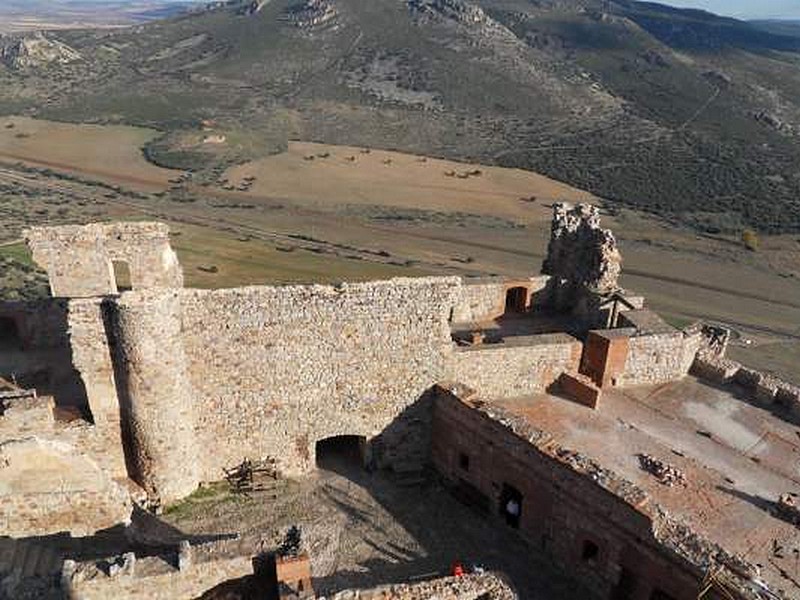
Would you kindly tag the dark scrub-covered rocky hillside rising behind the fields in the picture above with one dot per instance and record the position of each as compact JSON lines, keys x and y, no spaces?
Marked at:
{"x":678,"y":112}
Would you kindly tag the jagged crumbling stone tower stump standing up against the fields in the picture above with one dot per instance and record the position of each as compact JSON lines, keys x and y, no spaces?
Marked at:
{"x":581,"y":251}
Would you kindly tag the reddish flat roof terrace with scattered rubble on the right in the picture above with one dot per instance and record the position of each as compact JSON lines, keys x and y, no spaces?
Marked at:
{"x":737,"y":458}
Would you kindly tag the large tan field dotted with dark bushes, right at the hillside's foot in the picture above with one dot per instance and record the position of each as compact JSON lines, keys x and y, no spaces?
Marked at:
{"x":327,"y":177}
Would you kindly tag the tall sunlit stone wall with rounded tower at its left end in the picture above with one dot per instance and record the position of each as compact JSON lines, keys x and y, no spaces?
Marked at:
{"x":269,"y":371}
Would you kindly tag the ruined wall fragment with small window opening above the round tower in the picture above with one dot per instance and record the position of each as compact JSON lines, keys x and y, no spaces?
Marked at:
{"x":81,"y":260}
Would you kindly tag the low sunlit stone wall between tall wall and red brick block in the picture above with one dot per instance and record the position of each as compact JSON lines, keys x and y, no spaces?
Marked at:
{"x":517,"y":367}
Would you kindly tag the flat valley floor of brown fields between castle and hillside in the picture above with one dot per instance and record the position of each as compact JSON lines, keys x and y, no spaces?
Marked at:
{"x":327,"y":213}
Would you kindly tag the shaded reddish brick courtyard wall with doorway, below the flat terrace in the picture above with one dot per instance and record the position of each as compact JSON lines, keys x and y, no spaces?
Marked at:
{"x":561,"y":509}
